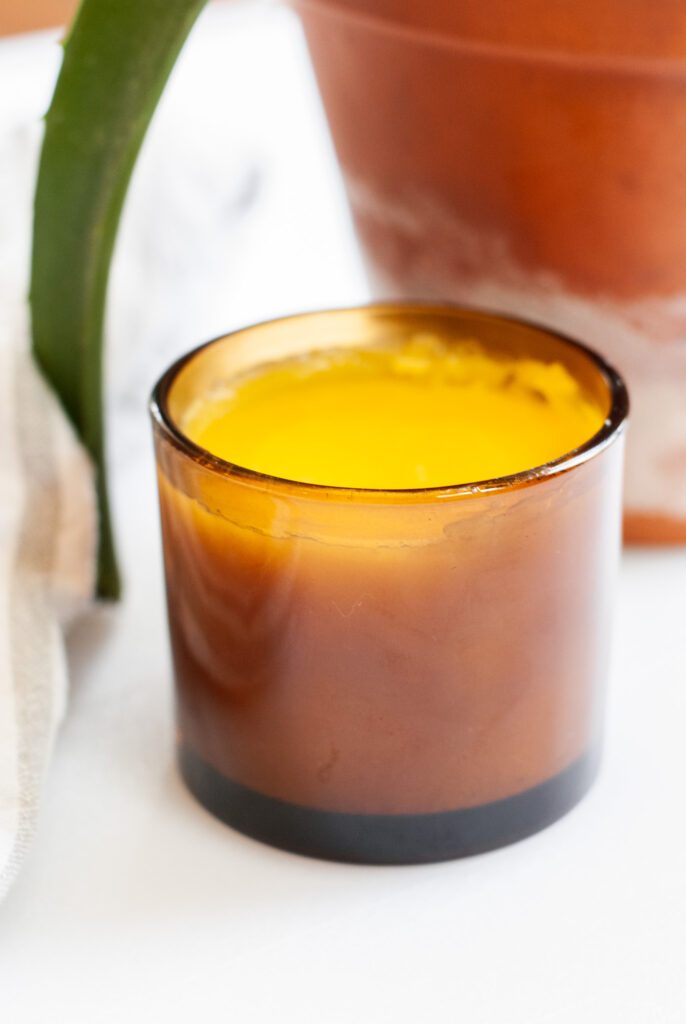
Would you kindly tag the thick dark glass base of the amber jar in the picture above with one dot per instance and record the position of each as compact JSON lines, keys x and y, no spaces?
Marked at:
{"x":387,"y":839}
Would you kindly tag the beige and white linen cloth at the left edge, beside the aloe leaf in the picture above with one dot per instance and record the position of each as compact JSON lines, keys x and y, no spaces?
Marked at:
{"x":49,"y":527}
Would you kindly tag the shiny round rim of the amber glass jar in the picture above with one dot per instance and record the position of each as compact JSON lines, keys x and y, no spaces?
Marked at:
{"x":612,"y":429}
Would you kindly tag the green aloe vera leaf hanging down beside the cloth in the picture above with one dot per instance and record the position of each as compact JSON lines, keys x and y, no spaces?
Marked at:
{"x":117,"y":59}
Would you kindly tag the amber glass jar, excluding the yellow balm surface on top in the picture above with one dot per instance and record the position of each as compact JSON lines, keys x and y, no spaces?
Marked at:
{"x":389,"y":676}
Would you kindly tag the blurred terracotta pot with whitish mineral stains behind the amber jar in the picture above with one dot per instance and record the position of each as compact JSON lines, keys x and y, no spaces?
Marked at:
{"x":530,"y":158}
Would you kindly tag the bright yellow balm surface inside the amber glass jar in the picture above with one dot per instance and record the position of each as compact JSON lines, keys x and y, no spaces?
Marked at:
{"x":424,"y":415}
